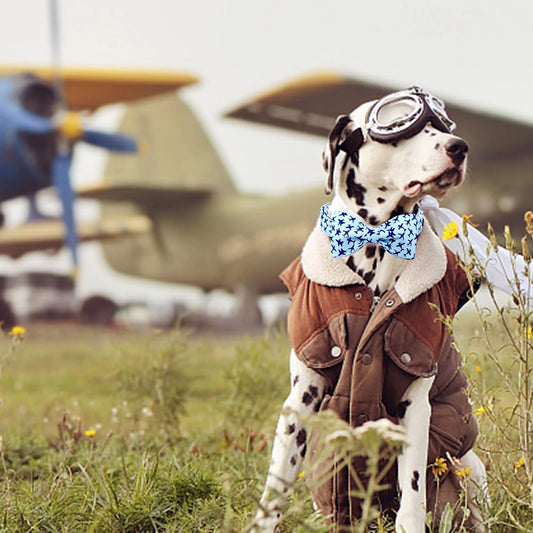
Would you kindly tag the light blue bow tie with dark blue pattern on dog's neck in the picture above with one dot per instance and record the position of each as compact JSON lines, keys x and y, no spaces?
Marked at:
{"x":397,"y":236}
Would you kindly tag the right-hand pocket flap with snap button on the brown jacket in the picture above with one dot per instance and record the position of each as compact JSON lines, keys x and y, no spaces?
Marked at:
{"x":408,"y":352}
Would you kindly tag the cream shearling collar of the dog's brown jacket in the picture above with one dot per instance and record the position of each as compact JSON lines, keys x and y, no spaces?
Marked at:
{"x":421,"y":273}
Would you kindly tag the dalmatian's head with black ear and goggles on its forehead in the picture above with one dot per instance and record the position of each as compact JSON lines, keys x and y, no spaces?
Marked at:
{"x":378,"y":162}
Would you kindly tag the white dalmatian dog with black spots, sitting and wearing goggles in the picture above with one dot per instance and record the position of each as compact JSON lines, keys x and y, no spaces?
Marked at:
{"x":380,"y":160}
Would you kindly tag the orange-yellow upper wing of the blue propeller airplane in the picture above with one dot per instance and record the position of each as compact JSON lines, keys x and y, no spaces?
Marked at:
{"x":87,"y":89}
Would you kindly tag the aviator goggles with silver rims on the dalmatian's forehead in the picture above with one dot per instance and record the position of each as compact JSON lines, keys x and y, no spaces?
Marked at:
{"x":403,"y":114}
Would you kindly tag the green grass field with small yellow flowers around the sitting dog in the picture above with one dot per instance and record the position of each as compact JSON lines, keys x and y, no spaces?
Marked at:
{"x":122,"y":431}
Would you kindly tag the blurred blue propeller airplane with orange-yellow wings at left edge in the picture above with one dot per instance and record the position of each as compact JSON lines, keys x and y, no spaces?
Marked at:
{"x":40,"y":122}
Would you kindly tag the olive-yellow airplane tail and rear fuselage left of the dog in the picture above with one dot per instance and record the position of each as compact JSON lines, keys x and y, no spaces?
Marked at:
{"x":204,"y":232}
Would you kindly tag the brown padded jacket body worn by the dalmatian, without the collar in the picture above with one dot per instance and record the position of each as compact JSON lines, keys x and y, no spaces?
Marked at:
{"x":370,"y":359}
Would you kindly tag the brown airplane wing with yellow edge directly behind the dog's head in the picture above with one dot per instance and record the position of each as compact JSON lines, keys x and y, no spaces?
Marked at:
{"x":311,"y":104}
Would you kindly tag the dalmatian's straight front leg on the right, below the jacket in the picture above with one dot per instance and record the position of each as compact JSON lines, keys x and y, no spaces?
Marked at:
{"x":414,"y":413}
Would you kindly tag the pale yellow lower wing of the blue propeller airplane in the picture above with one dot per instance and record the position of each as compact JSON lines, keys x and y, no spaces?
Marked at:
{"x":50,"y":234}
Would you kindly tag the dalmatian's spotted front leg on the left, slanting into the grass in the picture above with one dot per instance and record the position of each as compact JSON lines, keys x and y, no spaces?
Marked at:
{"x":288,"y":450}
